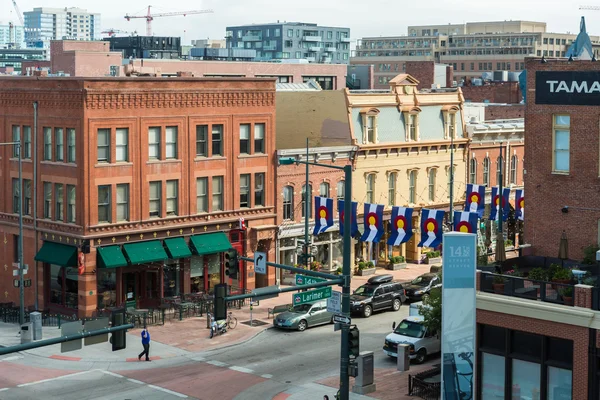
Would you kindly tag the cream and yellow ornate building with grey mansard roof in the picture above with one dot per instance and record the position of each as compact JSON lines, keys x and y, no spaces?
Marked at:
{"x":404,"y":141}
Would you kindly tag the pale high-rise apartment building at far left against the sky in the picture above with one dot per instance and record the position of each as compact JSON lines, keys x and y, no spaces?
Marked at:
{"x":44,"y":24}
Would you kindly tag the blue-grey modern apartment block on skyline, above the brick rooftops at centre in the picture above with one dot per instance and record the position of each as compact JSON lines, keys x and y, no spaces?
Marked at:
{"x":292,"y":40}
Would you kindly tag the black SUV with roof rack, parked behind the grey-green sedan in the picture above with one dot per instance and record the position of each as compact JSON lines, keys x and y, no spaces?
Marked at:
{"x":377,"y":294}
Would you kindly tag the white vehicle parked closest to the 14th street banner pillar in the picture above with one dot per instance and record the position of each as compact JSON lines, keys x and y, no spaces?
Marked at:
{"x":411,"y":331}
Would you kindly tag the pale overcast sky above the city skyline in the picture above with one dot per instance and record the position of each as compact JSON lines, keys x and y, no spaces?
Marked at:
{"x":364,"y":18}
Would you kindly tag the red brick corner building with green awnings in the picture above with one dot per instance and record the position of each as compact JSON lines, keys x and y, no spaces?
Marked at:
{"x":145,"y":179}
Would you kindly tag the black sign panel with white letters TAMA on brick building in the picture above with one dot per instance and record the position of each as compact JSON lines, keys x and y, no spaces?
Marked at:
{"x":580,"y":88}
